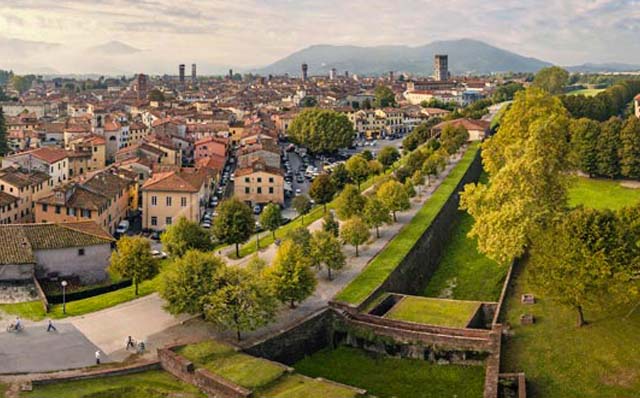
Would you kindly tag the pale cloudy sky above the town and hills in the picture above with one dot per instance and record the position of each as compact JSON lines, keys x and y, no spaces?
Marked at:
{"x":62,"y":35}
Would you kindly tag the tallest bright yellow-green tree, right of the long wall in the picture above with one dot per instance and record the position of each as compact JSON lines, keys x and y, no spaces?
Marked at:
{"x":527,"y":163}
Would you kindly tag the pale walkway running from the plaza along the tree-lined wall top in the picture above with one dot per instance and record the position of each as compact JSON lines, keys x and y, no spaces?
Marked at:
{"x":145,"y":318}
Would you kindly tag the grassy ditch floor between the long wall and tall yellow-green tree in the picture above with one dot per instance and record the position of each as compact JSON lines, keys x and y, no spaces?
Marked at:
{"x":464,"y":273}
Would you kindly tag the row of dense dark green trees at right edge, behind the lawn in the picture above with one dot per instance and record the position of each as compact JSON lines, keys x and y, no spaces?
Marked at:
{"x":609,"y":149}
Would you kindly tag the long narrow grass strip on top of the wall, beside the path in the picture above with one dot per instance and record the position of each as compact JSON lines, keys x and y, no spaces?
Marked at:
{"x":391,"y":256}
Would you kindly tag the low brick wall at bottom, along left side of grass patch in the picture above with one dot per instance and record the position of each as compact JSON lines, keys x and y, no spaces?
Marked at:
{"x":206,"y":381}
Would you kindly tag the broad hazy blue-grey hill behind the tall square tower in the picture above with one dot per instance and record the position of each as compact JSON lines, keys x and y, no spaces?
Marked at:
{"x":466,"y":56}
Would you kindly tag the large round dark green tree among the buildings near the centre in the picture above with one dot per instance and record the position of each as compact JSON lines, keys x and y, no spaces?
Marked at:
{"x":321,"y":131}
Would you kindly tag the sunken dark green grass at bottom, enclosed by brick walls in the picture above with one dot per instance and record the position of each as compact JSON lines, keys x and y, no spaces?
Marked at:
{"x":387,"y":377}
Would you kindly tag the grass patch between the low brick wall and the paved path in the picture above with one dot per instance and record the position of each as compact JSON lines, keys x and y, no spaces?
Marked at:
{"x":221,"y":359}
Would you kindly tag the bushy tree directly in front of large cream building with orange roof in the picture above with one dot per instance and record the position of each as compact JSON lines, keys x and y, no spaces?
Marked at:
{"x":185,"y":235}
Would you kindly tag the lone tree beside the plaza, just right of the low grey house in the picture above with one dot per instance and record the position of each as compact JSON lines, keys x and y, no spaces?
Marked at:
{"x":132,"y":259}
